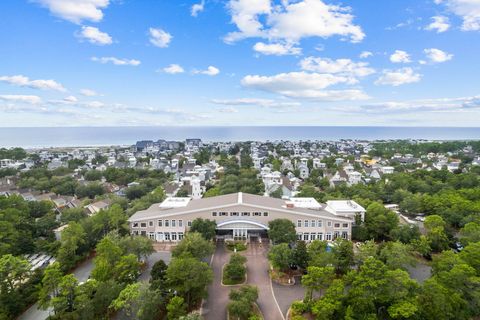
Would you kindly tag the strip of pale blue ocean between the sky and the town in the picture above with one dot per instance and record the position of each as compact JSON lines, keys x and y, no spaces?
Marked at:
{"x":103,"y":136}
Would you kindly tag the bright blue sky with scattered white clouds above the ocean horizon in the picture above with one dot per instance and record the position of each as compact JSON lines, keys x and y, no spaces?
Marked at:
{"x":239,"y":62}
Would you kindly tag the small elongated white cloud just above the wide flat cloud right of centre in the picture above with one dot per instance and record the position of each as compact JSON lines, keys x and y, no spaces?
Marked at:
{"x":344,"y":67}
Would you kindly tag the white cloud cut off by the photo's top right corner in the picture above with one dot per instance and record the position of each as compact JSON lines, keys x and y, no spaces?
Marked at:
{"x":468,"y":10}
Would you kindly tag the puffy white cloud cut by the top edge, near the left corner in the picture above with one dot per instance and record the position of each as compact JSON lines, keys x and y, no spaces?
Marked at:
{"x":76,"y":10}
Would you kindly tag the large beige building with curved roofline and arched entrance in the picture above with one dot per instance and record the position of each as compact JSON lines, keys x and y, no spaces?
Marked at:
{"x":242,"y":216}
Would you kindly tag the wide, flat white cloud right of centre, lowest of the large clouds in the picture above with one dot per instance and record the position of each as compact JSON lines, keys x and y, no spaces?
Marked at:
{"x":304,"y":85}
